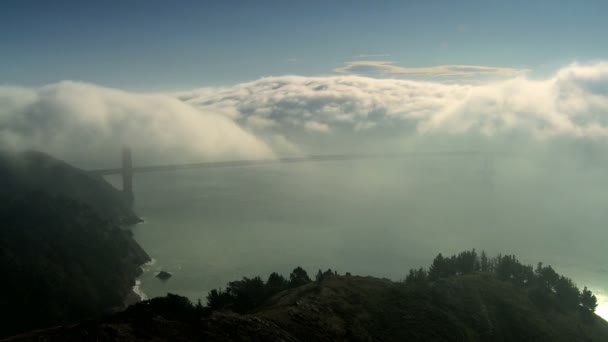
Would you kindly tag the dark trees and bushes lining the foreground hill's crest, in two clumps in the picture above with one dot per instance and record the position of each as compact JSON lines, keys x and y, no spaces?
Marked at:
{"x":544,"y":285}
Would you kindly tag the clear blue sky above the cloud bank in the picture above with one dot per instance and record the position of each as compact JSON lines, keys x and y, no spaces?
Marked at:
{"x":169,"y":45}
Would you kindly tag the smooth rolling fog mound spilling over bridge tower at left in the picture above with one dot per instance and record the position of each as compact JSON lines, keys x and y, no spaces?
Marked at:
{"x":88,"y":124}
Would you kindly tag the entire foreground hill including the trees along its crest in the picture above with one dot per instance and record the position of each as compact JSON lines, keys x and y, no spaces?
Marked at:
{"x":444,"y":303}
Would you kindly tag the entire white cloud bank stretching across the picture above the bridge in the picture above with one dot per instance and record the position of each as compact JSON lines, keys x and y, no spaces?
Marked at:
{"x":295,"y":114}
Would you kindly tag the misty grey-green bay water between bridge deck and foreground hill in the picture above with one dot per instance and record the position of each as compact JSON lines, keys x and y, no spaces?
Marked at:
{"x":380,"y":218}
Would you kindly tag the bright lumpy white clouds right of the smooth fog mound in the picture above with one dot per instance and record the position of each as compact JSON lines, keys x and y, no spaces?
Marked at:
{"x":572,"y":102}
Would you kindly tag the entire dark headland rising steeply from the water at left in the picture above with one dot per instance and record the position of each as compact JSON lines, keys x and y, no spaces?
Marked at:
{"x":63,"y":255}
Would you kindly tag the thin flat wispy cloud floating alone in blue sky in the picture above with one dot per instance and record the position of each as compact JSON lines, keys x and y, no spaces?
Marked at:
{"x":378,"y":68}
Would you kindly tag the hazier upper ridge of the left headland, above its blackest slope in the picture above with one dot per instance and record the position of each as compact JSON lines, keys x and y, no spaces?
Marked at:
{"x":36,"y":171}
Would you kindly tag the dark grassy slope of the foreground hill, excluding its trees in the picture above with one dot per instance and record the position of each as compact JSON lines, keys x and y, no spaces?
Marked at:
{"x":471,"y":307}
